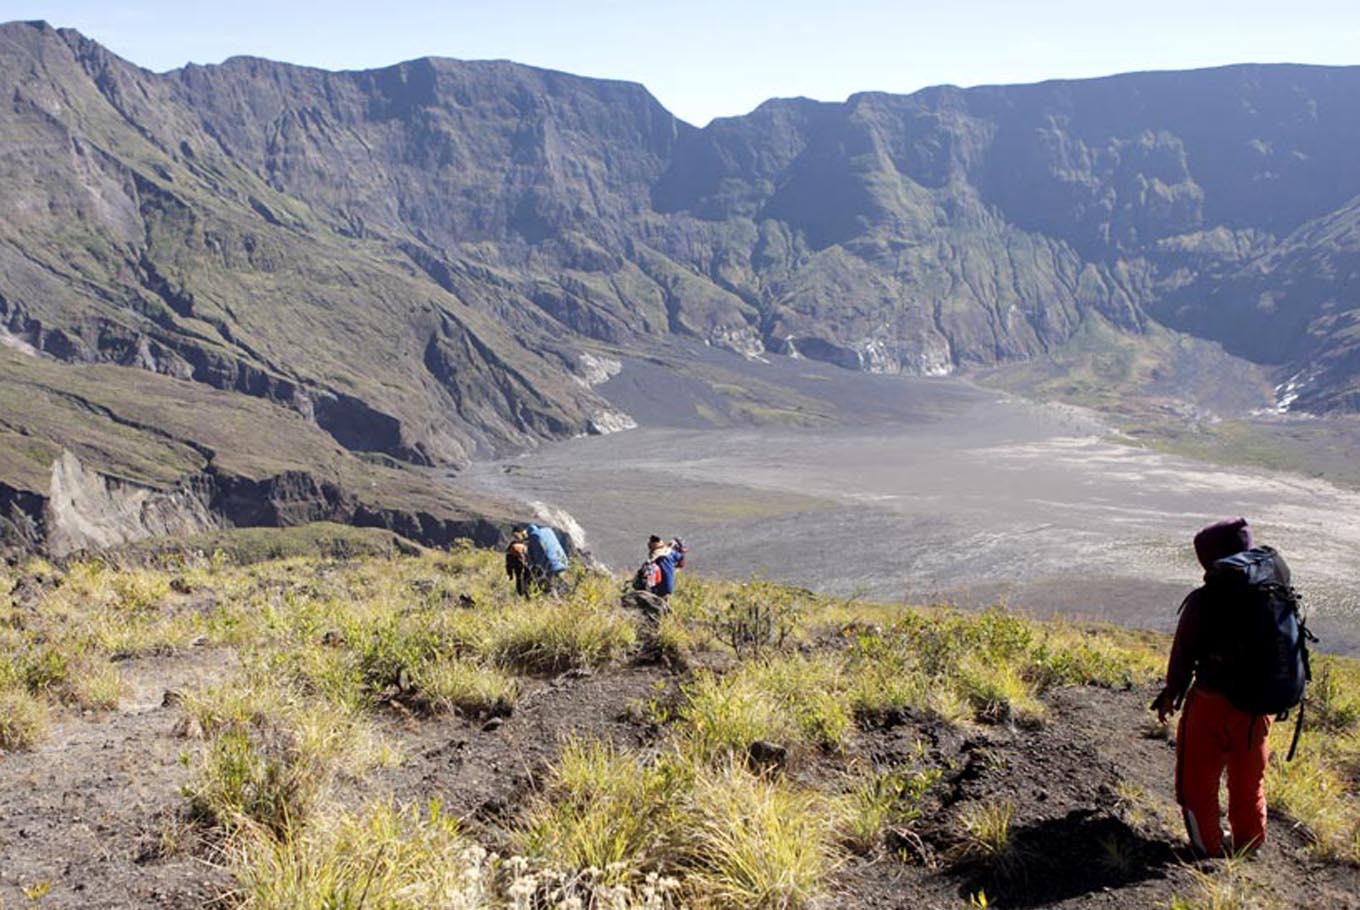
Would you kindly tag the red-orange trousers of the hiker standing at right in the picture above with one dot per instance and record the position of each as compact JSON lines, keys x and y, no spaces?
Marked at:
{"x":1215,"y":737}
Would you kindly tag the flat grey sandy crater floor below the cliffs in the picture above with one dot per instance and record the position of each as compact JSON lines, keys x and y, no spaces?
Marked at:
{"x":987,"y":500}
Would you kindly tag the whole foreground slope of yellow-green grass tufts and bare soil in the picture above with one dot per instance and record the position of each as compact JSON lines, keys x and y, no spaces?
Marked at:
{"x":398,"y":731}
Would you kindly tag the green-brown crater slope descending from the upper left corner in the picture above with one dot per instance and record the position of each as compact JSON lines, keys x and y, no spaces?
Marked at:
{"x":133,"y":237}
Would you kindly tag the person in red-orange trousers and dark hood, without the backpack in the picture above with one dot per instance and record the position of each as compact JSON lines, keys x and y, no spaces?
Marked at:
{"x":1214,"y":735}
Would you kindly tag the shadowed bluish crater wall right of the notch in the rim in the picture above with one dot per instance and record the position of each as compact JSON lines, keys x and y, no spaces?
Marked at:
{"x":980,"y":225}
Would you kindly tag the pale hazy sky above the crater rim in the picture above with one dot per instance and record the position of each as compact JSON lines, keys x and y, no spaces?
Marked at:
{"x":708,"y":59}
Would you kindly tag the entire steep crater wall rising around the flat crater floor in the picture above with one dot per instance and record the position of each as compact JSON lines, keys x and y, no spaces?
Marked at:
{"x":417,"y":260}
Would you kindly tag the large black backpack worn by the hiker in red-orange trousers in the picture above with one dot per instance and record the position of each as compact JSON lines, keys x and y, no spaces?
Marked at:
{"x":1260,"y":641}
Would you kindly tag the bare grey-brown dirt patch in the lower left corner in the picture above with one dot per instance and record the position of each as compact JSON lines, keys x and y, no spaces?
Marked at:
{"x":93,"y":815}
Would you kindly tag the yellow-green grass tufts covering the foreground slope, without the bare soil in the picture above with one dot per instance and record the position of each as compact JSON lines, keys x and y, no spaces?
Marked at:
{"x":327,"y":647}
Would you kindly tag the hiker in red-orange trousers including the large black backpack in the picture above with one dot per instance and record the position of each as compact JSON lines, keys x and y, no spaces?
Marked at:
{"x":1240,"y":660}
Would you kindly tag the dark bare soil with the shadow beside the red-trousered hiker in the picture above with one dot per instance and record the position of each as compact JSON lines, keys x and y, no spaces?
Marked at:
{"x":1095,"y":820}
